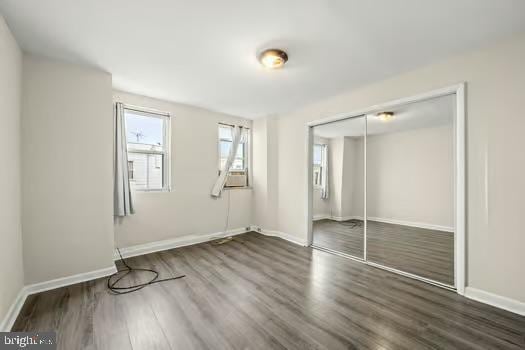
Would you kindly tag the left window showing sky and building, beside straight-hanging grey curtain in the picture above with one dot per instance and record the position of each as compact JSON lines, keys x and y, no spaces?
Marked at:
{"x":147,"y":135}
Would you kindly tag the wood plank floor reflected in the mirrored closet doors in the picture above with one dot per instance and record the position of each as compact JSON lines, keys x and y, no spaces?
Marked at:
{"x":423,"y":252}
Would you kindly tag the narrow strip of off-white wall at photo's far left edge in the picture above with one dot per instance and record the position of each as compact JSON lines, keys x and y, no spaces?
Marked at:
{"x":11,"y":263}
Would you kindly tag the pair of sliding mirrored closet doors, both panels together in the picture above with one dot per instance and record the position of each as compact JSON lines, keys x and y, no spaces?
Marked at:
{"x":383,"y":188}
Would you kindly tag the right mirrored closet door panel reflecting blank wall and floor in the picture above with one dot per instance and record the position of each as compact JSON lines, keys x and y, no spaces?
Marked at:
{"x":410,"y":188}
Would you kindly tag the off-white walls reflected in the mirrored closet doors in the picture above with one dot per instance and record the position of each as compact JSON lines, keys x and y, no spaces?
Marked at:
{"x":410,"y":177}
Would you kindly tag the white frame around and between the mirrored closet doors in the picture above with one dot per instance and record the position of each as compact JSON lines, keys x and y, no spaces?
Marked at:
{"x":459,"y":178}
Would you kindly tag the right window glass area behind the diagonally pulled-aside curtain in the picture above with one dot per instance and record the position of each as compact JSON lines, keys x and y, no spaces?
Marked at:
{"x":238,"y":172}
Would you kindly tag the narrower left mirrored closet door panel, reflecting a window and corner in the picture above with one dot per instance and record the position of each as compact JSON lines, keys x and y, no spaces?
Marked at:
{"x":338,"y":186}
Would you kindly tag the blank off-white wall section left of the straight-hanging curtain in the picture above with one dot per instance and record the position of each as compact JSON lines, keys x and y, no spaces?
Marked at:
{"x":67,"y":183}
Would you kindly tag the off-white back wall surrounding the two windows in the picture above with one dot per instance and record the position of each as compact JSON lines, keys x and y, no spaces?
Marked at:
{"x":188,"y":209}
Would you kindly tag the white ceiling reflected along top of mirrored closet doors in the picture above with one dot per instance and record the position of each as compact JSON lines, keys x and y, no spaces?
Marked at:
{"x":424,"y":114}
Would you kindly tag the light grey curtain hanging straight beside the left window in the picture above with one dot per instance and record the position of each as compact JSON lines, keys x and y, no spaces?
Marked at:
{"x":123,"y":205}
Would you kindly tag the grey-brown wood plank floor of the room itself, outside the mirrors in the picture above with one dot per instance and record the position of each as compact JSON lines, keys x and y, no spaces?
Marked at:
{"x":258,"y":292}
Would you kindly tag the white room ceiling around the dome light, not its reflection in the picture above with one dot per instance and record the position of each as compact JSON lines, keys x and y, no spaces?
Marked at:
{"x":202,"y":52}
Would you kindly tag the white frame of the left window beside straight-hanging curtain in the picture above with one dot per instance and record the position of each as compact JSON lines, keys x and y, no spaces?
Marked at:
{"x":166,"y":152}
